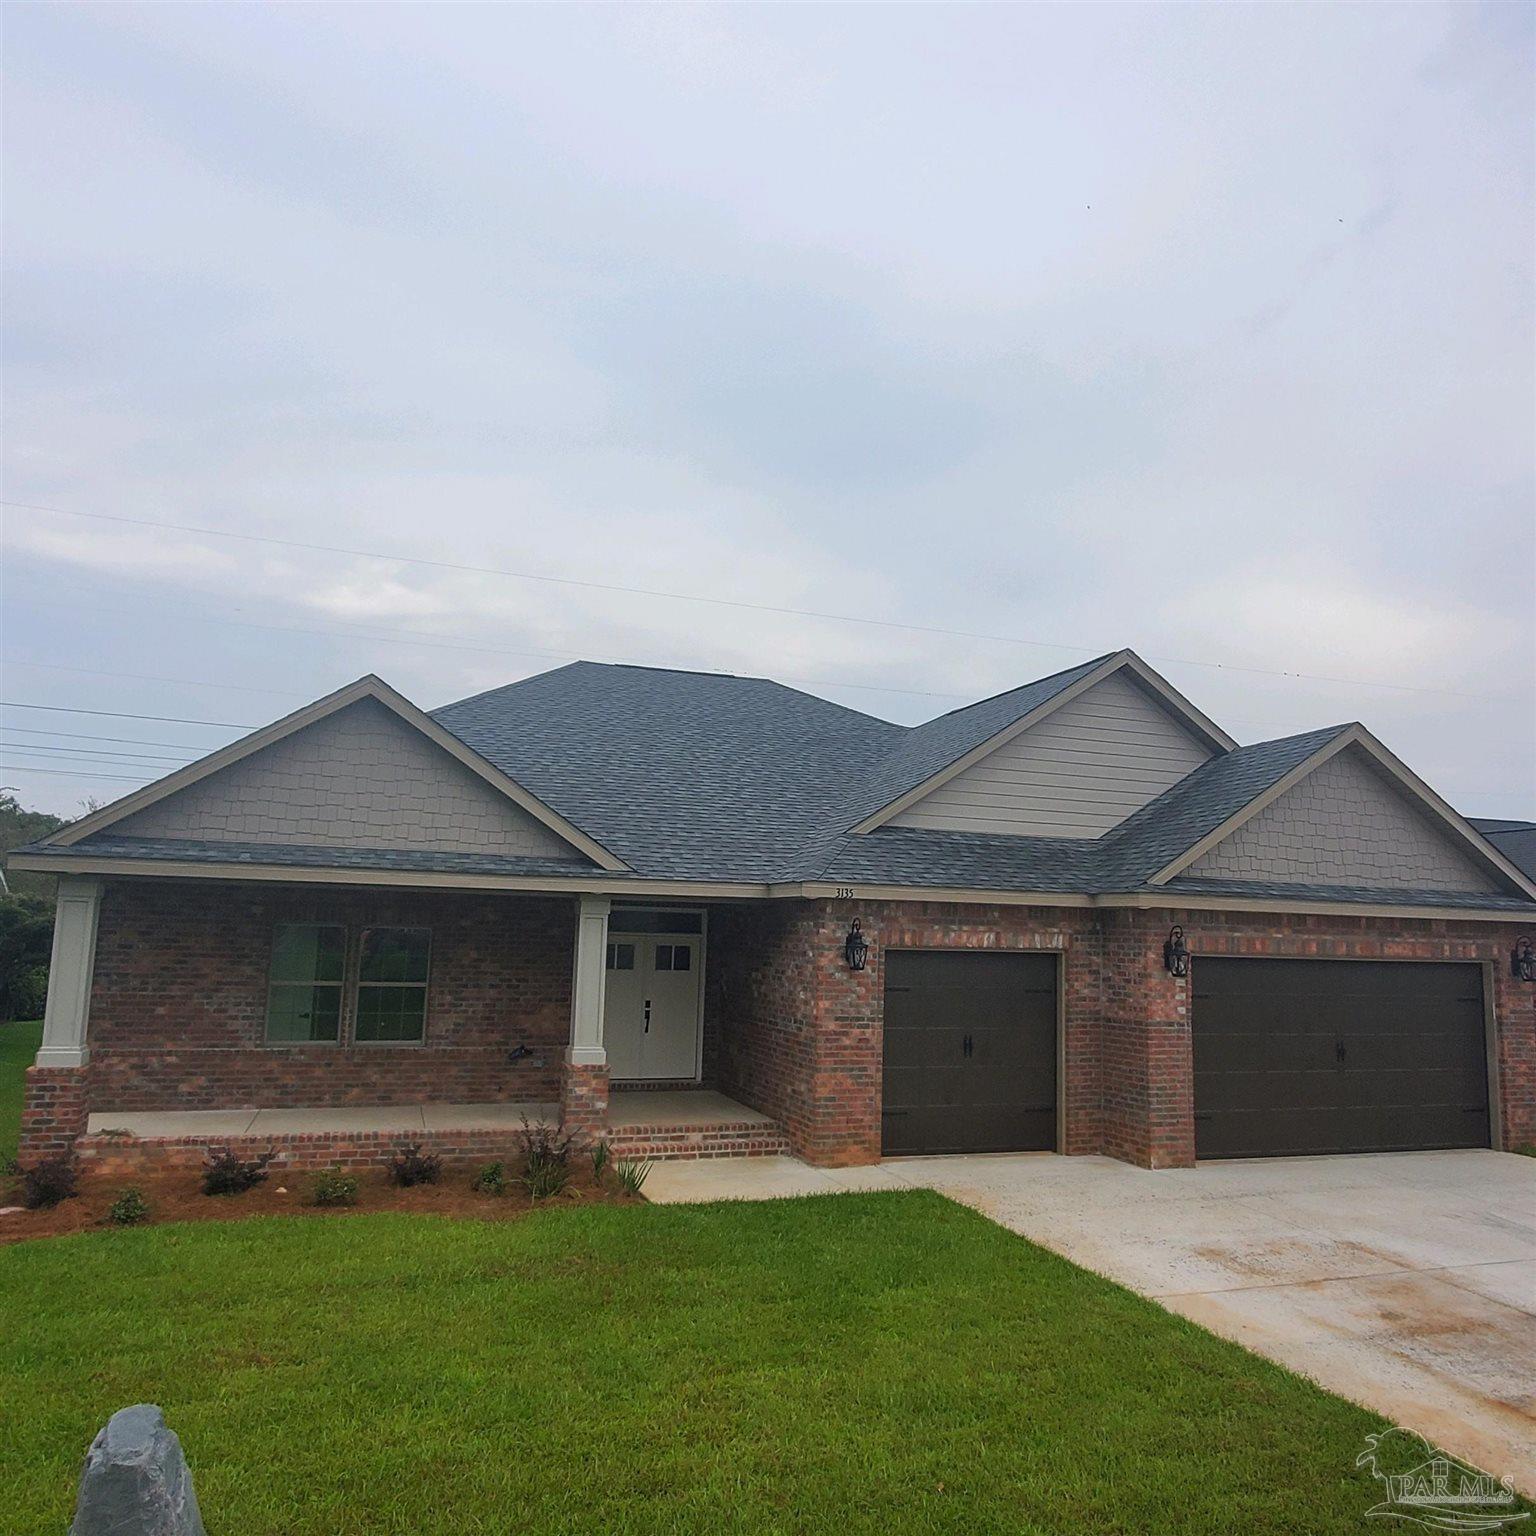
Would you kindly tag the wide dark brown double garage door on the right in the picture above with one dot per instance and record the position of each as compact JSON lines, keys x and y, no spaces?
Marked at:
{"x":1339,"y":1056}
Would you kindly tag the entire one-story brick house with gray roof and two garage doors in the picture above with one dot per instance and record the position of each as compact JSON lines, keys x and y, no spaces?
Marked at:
{"x":703,"y":915}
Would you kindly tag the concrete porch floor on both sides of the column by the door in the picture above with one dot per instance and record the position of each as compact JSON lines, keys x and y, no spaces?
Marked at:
{"x":631,"y":1108}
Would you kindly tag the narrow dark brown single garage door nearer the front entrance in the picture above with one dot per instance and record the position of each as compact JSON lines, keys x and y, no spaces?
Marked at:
{"x":970,"y":1053}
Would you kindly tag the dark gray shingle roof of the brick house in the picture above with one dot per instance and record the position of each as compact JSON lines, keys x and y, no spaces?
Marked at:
{"x":701,"y":776}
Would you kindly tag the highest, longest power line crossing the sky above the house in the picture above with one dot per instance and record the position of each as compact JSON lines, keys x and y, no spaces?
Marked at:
{"x":698,"y":598}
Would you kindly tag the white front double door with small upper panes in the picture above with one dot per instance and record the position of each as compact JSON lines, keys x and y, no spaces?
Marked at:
{"x":652,"y":1007}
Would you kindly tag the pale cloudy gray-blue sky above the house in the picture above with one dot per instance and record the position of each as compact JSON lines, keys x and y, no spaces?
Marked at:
{"x":1199,"y":329}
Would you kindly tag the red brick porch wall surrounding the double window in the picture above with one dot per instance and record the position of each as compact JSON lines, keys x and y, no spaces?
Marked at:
{"x":179,"y":999}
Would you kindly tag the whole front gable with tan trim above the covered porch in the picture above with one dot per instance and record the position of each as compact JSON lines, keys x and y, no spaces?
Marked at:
{"x":362,"y":769}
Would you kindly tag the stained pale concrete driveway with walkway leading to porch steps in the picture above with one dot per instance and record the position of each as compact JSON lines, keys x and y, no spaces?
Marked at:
{"x":1406,"y":1282}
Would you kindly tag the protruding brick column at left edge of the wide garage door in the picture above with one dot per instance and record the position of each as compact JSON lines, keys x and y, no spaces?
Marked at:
{"x":1148,"y":1048}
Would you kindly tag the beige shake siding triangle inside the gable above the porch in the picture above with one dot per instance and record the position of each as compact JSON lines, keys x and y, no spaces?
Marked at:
{"x":360,"y":778}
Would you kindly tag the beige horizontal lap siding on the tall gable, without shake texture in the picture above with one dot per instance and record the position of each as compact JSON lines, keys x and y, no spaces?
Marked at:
{"x":1078,"y":773}
